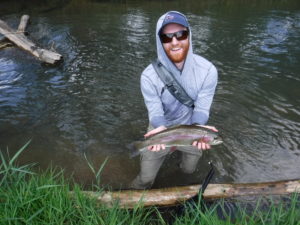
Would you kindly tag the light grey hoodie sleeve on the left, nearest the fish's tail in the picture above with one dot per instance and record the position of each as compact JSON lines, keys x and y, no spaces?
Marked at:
{"x":153,"y":103}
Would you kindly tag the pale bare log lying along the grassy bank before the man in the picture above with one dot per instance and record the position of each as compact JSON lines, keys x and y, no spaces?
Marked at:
{"x":178,"y":195}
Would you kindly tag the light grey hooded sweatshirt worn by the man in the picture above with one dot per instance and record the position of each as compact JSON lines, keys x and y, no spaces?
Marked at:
{"x":199,"y":79}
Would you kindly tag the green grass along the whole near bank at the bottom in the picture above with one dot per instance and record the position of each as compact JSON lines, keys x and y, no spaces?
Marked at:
{"x":27,"y":197}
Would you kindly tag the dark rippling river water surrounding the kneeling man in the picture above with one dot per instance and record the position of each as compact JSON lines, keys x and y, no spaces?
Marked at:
{"x":91,"y":104}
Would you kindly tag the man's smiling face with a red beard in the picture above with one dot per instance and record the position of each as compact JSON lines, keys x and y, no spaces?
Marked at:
{"x":176,"y":50}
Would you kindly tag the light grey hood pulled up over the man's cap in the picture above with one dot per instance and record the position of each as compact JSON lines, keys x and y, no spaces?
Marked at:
{"x":162,"y":56}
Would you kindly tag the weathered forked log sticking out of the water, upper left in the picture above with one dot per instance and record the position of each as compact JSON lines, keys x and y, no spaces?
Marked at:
{"x":19,"y":39}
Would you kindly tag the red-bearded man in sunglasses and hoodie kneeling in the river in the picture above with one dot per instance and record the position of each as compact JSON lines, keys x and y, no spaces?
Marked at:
{"x":196,"y":75}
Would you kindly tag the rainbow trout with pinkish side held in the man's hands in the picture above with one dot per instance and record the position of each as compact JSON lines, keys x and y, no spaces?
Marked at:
{"x":180,"y":135}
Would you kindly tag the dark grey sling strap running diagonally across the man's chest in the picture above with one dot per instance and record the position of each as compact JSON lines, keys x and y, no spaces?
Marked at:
{"x":172,"y":84}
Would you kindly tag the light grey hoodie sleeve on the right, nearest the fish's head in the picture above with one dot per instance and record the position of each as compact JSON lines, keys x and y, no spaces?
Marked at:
{"x":205,"y":97}
